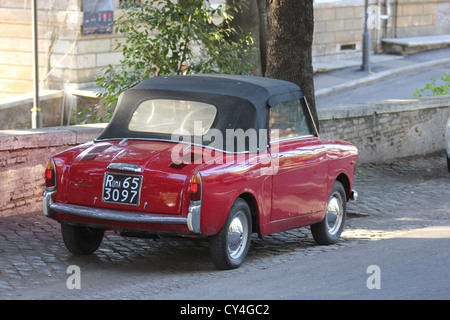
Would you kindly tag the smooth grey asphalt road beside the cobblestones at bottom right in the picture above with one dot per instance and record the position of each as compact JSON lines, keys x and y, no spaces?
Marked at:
{"x":411,"y":266}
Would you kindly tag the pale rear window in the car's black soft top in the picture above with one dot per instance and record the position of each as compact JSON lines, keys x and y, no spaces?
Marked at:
{"x":173,"y":116}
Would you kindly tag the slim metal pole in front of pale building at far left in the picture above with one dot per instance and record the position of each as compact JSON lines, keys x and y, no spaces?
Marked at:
{"x":36,"y":116}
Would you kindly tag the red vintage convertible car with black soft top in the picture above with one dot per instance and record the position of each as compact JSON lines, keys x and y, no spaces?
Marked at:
{"x":216,"y":156}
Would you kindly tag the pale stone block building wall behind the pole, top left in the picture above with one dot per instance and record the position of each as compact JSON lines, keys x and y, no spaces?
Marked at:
{"x":67,"y":59}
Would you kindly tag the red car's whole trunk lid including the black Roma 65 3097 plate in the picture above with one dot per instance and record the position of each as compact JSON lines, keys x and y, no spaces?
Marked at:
{"x":99,"y":175}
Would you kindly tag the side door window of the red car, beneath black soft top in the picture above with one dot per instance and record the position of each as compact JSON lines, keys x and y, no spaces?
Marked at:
{"x":289,"y":119}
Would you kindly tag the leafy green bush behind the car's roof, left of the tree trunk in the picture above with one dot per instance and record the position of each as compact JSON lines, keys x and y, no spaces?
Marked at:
{"x":165,"y":37}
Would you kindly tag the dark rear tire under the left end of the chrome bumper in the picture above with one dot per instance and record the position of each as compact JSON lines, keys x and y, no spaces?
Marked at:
{"x":81,"y":240}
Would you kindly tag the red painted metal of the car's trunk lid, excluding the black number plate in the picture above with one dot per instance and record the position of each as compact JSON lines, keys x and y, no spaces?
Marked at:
{"x":161,"y":181}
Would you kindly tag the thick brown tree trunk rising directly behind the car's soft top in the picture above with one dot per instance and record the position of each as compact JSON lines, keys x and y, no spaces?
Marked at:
{"x":289,"y":45}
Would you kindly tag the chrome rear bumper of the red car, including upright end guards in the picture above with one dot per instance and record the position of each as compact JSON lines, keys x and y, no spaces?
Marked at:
{"x":192,"y":220}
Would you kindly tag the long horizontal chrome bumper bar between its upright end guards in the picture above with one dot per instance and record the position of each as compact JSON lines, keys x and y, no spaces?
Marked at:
{"x":115,"y":215}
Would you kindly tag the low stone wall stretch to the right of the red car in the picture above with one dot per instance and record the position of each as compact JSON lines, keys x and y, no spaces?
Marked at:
{"x":389,"y":129}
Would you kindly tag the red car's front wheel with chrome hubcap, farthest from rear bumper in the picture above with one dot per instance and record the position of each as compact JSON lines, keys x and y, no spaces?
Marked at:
{"x":330,"y":228}
